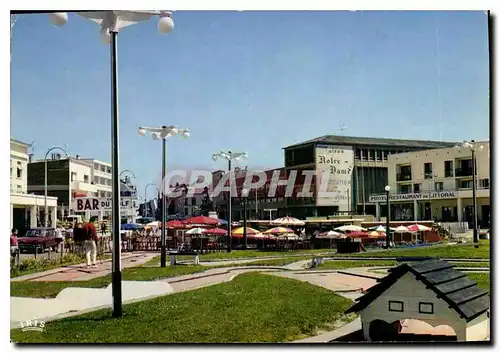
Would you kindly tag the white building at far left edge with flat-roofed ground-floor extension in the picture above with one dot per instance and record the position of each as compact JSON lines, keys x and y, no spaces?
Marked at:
{"x":26,"y":210}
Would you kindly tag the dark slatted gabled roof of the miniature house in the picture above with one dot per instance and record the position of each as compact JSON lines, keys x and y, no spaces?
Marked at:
{"x":462,"y":294}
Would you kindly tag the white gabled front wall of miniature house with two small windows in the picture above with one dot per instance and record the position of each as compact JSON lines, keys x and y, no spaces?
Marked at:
{"x":408,"y":298}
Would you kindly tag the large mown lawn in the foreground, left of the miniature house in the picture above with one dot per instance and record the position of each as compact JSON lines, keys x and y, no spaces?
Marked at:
{"x":252,"y":308}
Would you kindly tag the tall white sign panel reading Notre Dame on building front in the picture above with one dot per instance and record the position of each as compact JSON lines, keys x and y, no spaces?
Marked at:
{"x":334,"y":167}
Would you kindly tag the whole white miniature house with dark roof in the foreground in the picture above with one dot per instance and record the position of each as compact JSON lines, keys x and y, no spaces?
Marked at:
{"x":430,"y":291}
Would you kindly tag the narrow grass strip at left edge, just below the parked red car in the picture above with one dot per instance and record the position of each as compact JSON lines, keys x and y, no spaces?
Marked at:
{"x":32,"y":265}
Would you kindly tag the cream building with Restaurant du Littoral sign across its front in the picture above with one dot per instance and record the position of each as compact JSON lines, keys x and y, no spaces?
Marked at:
{"x":437,"y":185}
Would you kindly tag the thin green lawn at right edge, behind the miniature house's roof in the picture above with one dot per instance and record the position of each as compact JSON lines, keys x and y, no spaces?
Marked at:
{"x":457,"y":251}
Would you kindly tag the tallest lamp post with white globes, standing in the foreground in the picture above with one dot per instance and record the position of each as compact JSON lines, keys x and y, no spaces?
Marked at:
{"x":111,"y":23}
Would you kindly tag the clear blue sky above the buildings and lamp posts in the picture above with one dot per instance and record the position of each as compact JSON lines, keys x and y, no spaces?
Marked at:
{"x":250,"y":81}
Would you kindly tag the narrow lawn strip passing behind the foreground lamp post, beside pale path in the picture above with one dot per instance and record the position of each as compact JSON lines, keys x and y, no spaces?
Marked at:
{"x":40,"y":289}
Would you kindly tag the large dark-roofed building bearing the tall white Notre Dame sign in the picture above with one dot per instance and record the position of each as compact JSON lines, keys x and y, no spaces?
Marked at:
{"x":356,"y":166}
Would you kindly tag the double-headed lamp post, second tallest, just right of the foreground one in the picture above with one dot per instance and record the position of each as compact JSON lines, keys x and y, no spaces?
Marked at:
{"x":163,"y":133}
